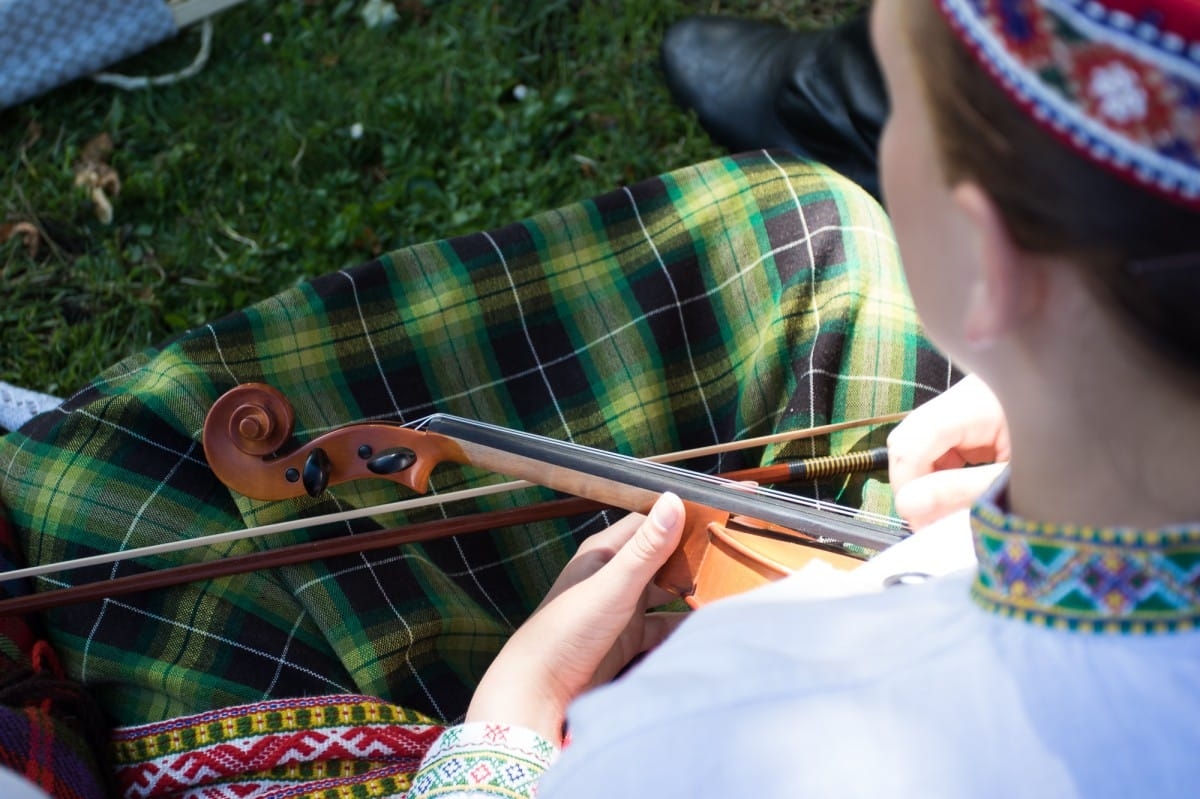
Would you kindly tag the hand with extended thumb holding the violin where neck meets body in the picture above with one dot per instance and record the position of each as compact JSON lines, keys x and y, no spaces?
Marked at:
{"x":591,"y":626}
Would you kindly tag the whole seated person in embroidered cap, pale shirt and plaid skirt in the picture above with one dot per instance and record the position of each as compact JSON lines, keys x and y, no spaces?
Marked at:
{"x":1051,"y":251}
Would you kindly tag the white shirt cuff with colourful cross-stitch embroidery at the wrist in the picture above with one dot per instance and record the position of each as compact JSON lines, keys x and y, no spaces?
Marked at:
{"x":484,"y":760}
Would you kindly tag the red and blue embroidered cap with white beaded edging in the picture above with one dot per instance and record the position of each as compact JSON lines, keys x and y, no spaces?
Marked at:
{"x":1119,"y":81}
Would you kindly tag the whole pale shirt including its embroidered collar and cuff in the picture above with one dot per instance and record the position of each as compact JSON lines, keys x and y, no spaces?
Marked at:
{"x":835,"y":684}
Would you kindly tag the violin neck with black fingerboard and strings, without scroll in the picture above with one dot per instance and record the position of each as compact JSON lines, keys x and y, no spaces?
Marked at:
{"x":634,"y":485}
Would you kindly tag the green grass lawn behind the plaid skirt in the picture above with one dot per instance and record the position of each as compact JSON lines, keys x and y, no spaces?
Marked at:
{"x":311,"y":142}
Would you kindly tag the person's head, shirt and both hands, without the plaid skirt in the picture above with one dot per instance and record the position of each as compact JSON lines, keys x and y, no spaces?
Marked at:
{"x":1041,"y":170}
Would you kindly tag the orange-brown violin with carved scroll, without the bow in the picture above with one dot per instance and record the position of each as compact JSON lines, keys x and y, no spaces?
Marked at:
{"x":736,"y":538}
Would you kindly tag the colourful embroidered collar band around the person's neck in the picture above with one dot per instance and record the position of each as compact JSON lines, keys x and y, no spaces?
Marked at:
{"x":1085,"y":579}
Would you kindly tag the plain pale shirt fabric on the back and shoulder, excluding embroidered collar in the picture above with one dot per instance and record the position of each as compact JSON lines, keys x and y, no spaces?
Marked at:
{"x":908,"y":692}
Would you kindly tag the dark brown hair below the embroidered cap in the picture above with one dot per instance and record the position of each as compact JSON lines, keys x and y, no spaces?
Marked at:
{"x":1057,"y":202}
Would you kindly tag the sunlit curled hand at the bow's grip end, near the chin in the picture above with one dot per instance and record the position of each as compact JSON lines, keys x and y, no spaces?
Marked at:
{"x":933,"y":452}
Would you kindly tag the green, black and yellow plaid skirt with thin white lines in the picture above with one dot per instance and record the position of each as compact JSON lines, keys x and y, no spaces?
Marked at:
{"x":733,"y":299}
